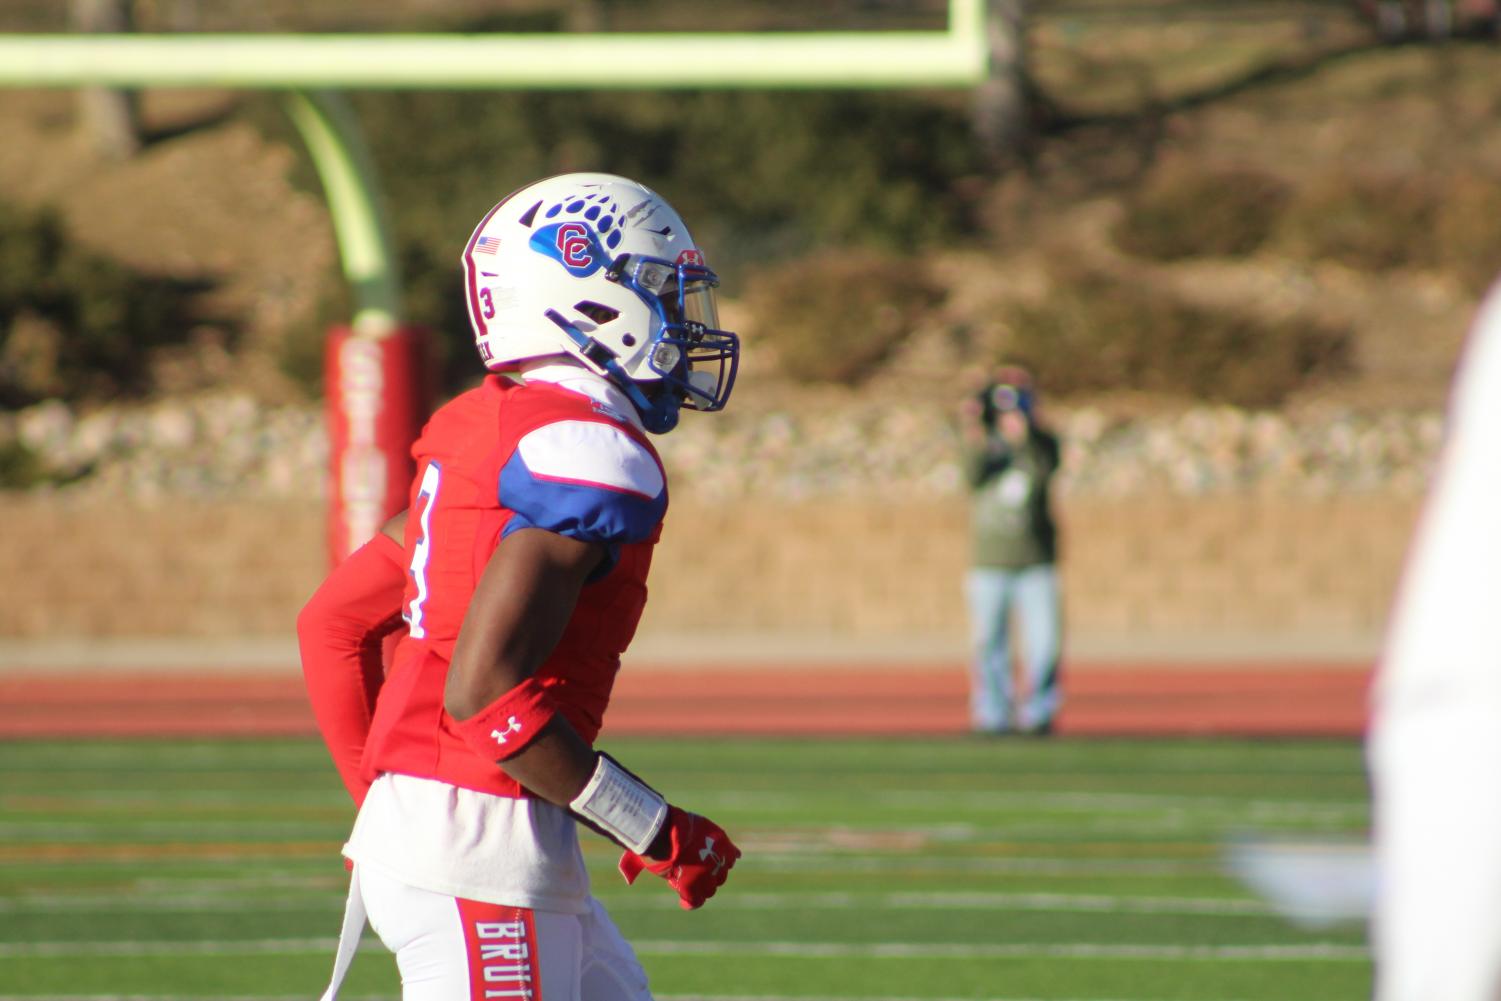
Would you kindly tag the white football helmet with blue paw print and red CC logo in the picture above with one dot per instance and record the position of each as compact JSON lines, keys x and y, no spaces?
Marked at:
{"x":603,"y":269}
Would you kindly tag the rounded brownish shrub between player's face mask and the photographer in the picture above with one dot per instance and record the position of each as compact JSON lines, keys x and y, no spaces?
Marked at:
{"x":835,"y":317}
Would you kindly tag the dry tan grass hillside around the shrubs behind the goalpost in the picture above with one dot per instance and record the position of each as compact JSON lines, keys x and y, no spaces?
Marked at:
{"x":1301,"y":97}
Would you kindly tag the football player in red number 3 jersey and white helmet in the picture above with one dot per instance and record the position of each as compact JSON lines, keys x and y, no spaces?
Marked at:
{"x":516,"y":582}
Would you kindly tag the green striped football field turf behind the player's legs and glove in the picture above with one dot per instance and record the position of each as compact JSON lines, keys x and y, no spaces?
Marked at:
{"x":1066,"y":870}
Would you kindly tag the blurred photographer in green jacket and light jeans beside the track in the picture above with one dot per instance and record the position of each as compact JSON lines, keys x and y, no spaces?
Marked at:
{"x":1009,"y":461}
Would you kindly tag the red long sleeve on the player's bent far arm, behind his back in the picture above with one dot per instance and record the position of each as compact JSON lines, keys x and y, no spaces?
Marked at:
{"x":340,"y":634}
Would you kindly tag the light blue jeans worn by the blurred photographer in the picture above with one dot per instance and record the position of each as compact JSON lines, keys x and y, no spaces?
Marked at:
{"x":1032,"y":597}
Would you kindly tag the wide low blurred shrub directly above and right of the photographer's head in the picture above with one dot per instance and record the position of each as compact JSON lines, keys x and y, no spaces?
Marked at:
{"x":1101,"y":334}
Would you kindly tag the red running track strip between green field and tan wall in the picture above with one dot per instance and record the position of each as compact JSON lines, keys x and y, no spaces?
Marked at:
{"x":1283,"y":700}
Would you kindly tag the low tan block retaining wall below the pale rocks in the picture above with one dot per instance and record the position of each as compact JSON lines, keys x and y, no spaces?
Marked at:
{"x":1145,"y":568}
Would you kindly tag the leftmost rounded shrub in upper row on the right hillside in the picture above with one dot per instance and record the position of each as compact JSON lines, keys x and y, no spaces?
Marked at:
{"x":1187,"y":211}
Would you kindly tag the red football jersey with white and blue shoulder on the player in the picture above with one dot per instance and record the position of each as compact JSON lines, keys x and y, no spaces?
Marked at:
{"x":499,"y":458}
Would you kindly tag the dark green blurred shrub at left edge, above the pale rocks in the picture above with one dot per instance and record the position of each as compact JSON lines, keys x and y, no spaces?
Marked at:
{"x":76,"y":325}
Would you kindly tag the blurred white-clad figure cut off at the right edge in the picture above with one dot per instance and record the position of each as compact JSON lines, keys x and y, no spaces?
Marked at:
{"x":1436,"y":735}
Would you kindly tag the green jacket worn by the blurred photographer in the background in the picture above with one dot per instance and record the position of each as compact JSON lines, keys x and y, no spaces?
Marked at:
{"x":1011,"y":516}
